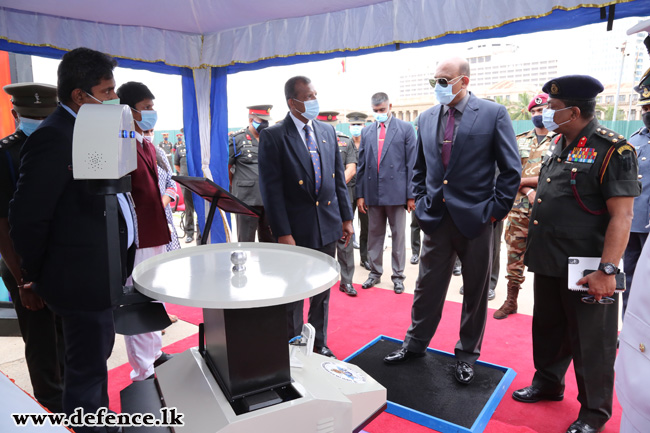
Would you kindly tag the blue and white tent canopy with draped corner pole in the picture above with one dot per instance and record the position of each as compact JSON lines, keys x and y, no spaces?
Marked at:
{"x":205,"y":40}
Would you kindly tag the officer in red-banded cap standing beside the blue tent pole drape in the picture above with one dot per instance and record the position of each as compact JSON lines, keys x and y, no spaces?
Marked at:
{"x":243,"y":172}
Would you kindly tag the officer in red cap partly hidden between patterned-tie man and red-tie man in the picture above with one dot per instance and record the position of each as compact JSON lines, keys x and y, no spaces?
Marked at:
{"x":344,"y":254}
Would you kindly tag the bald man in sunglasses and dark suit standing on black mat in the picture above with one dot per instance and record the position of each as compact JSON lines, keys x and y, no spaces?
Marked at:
{"x":461,"y":142}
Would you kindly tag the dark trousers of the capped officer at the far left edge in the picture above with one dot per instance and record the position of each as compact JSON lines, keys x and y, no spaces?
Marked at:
{"x":43,"y":336}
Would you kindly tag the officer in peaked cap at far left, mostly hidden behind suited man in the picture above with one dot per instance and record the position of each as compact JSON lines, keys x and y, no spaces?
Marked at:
{"x":40,"y":328}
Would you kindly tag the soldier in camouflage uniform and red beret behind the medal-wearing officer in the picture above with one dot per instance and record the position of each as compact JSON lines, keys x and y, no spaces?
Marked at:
{"x":533,"y":145}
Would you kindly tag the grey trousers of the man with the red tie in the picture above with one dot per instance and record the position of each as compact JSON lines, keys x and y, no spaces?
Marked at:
{"x":377,"y":217}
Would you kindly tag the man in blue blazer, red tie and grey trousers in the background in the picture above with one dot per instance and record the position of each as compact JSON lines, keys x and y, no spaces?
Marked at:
{"x":386,"y":158}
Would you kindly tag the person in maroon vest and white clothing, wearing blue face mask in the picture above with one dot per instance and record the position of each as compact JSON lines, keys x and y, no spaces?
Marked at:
{"x":144,"y":351}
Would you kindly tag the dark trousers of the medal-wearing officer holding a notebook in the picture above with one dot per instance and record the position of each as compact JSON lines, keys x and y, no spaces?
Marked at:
{"x":565,"y":328}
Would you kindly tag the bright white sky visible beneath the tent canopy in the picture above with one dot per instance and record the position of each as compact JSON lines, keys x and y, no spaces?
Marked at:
{"x":365,"y":75}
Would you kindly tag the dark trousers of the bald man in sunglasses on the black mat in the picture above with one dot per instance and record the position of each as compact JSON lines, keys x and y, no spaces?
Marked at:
{"x":437,"y":260}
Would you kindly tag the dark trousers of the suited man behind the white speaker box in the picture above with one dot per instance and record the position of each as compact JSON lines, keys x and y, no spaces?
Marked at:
{"x":89,"y":338}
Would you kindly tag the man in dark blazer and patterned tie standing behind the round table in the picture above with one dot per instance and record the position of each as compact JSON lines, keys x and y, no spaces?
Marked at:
{"x":302,"y":181}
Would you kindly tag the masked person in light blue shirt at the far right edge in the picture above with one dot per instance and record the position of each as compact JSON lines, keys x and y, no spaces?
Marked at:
{"x":639,"y":231}
